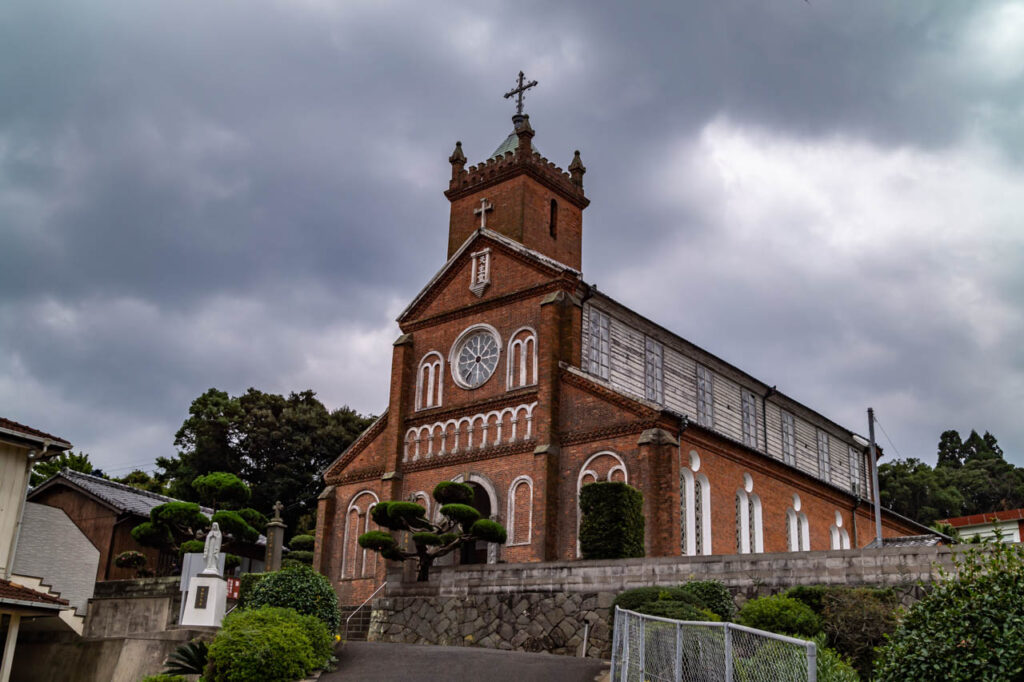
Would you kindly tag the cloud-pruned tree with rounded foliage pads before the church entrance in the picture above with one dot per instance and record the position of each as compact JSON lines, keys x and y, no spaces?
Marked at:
{"x":462,"y":525}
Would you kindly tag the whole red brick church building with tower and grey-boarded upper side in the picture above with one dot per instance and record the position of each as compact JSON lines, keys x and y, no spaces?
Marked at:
{"x":516,"y":376}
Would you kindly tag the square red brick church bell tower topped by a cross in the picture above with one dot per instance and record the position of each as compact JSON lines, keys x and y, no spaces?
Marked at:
{"x":520,"y":194}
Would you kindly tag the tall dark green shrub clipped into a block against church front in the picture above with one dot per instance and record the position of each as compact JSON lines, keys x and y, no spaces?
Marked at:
{"x":612,"y":526}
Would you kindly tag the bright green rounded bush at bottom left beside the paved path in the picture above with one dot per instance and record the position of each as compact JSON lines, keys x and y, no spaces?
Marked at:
{"x":269,"y":645}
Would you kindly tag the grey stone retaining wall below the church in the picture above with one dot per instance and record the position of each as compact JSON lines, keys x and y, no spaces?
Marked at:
{"x":549,"y":607}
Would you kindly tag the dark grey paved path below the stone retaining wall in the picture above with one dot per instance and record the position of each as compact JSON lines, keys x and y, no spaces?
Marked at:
{"x":380,"y":662}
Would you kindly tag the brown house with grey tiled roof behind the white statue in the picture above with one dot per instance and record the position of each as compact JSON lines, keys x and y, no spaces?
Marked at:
{"x":107,"y":511}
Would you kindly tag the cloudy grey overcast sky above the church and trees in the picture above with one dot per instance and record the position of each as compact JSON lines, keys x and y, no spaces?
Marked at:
{"x":827,"y":194}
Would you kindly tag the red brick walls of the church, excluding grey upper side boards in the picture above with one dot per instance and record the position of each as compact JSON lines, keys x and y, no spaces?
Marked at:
{"x":530,"y":445}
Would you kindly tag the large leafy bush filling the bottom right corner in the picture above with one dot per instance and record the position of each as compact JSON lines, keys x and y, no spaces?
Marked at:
{"x":969,"y":627}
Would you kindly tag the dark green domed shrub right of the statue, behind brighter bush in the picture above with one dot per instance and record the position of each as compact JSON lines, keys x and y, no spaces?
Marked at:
{"x":301,"y":588}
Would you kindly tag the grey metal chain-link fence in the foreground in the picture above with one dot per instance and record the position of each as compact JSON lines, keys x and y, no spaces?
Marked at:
{"x":649,"y":649}
